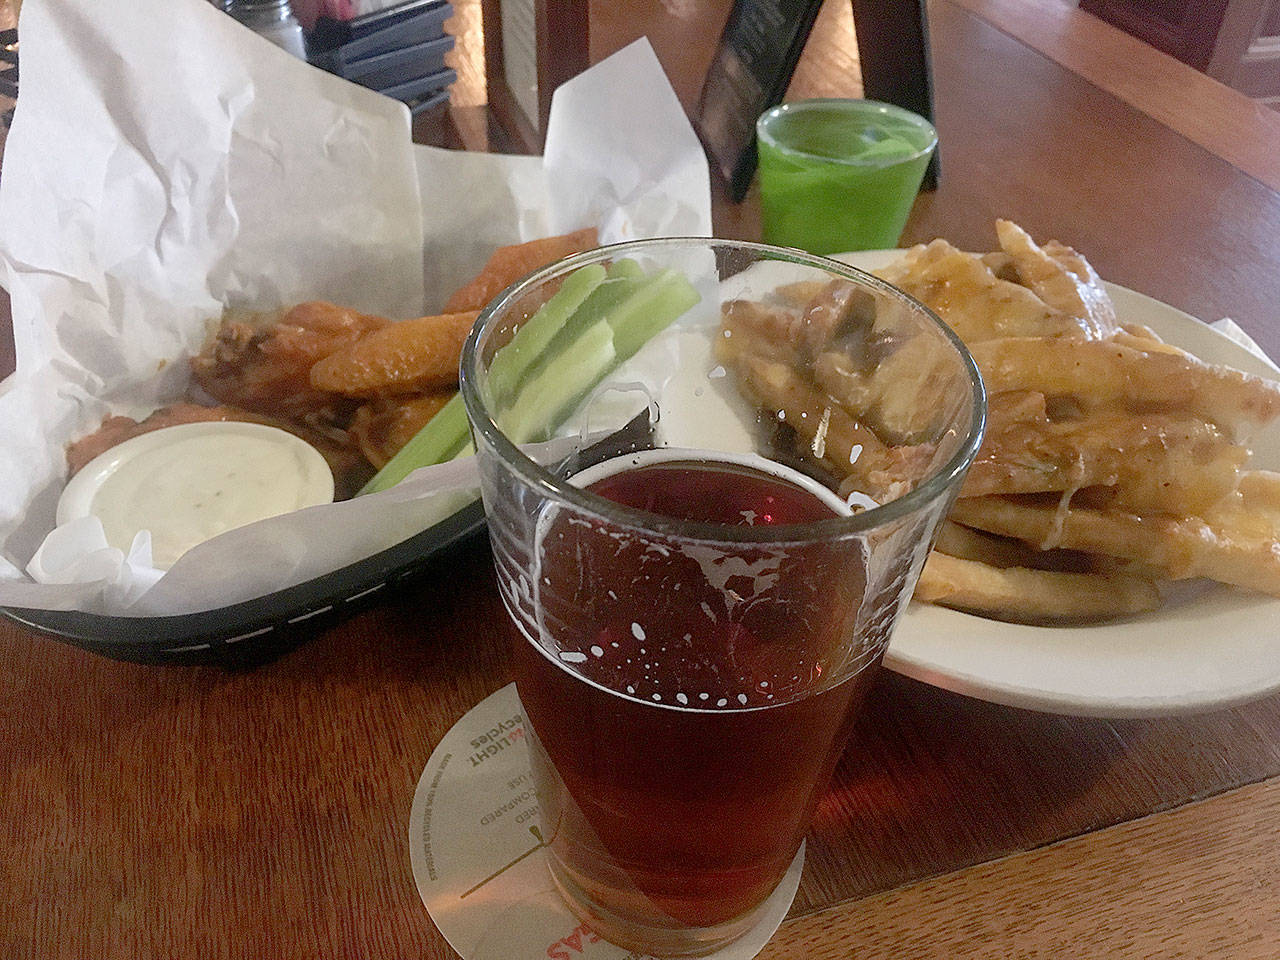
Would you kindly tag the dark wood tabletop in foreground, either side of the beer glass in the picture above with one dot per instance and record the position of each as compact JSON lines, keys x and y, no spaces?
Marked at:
{"x":166,"y":808}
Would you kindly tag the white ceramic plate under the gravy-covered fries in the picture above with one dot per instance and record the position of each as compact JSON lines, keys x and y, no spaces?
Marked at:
{"x":1209,"y":647}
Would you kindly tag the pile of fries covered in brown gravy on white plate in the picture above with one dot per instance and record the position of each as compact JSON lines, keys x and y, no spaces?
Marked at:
{"x":1113,"y":460}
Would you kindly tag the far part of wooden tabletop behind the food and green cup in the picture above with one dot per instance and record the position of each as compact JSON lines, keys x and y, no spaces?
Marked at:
{"x":1075,"y":159}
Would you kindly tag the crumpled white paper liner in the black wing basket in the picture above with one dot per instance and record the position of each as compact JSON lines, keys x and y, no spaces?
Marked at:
{"x":167,"y":163}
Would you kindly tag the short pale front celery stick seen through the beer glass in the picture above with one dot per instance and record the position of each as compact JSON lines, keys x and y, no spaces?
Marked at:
{"x":547,"y":397}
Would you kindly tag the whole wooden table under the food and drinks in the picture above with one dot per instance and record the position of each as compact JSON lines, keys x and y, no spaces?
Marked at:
{"x":154,"y":812}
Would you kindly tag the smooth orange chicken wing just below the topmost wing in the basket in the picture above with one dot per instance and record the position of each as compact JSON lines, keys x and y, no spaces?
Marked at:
{"x":412,"y":356}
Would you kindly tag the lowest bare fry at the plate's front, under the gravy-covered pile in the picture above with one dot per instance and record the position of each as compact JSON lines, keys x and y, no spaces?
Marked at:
{"x":1026,"y":596}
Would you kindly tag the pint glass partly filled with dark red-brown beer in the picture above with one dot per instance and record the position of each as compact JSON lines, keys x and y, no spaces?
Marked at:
{"x":712,"y":473}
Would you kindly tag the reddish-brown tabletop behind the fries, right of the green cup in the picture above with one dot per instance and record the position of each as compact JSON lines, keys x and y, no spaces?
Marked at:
{"x":1153,"y":211}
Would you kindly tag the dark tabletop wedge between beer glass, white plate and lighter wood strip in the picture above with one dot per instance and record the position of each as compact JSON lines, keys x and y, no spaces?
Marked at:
{"x":935,"y":781}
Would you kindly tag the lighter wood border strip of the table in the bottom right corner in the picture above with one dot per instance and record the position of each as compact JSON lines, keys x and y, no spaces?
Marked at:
{"x":1203,"y":881}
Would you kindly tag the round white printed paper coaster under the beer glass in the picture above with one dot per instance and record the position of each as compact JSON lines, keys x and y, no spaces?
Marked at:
{"x":474,"y":836}
